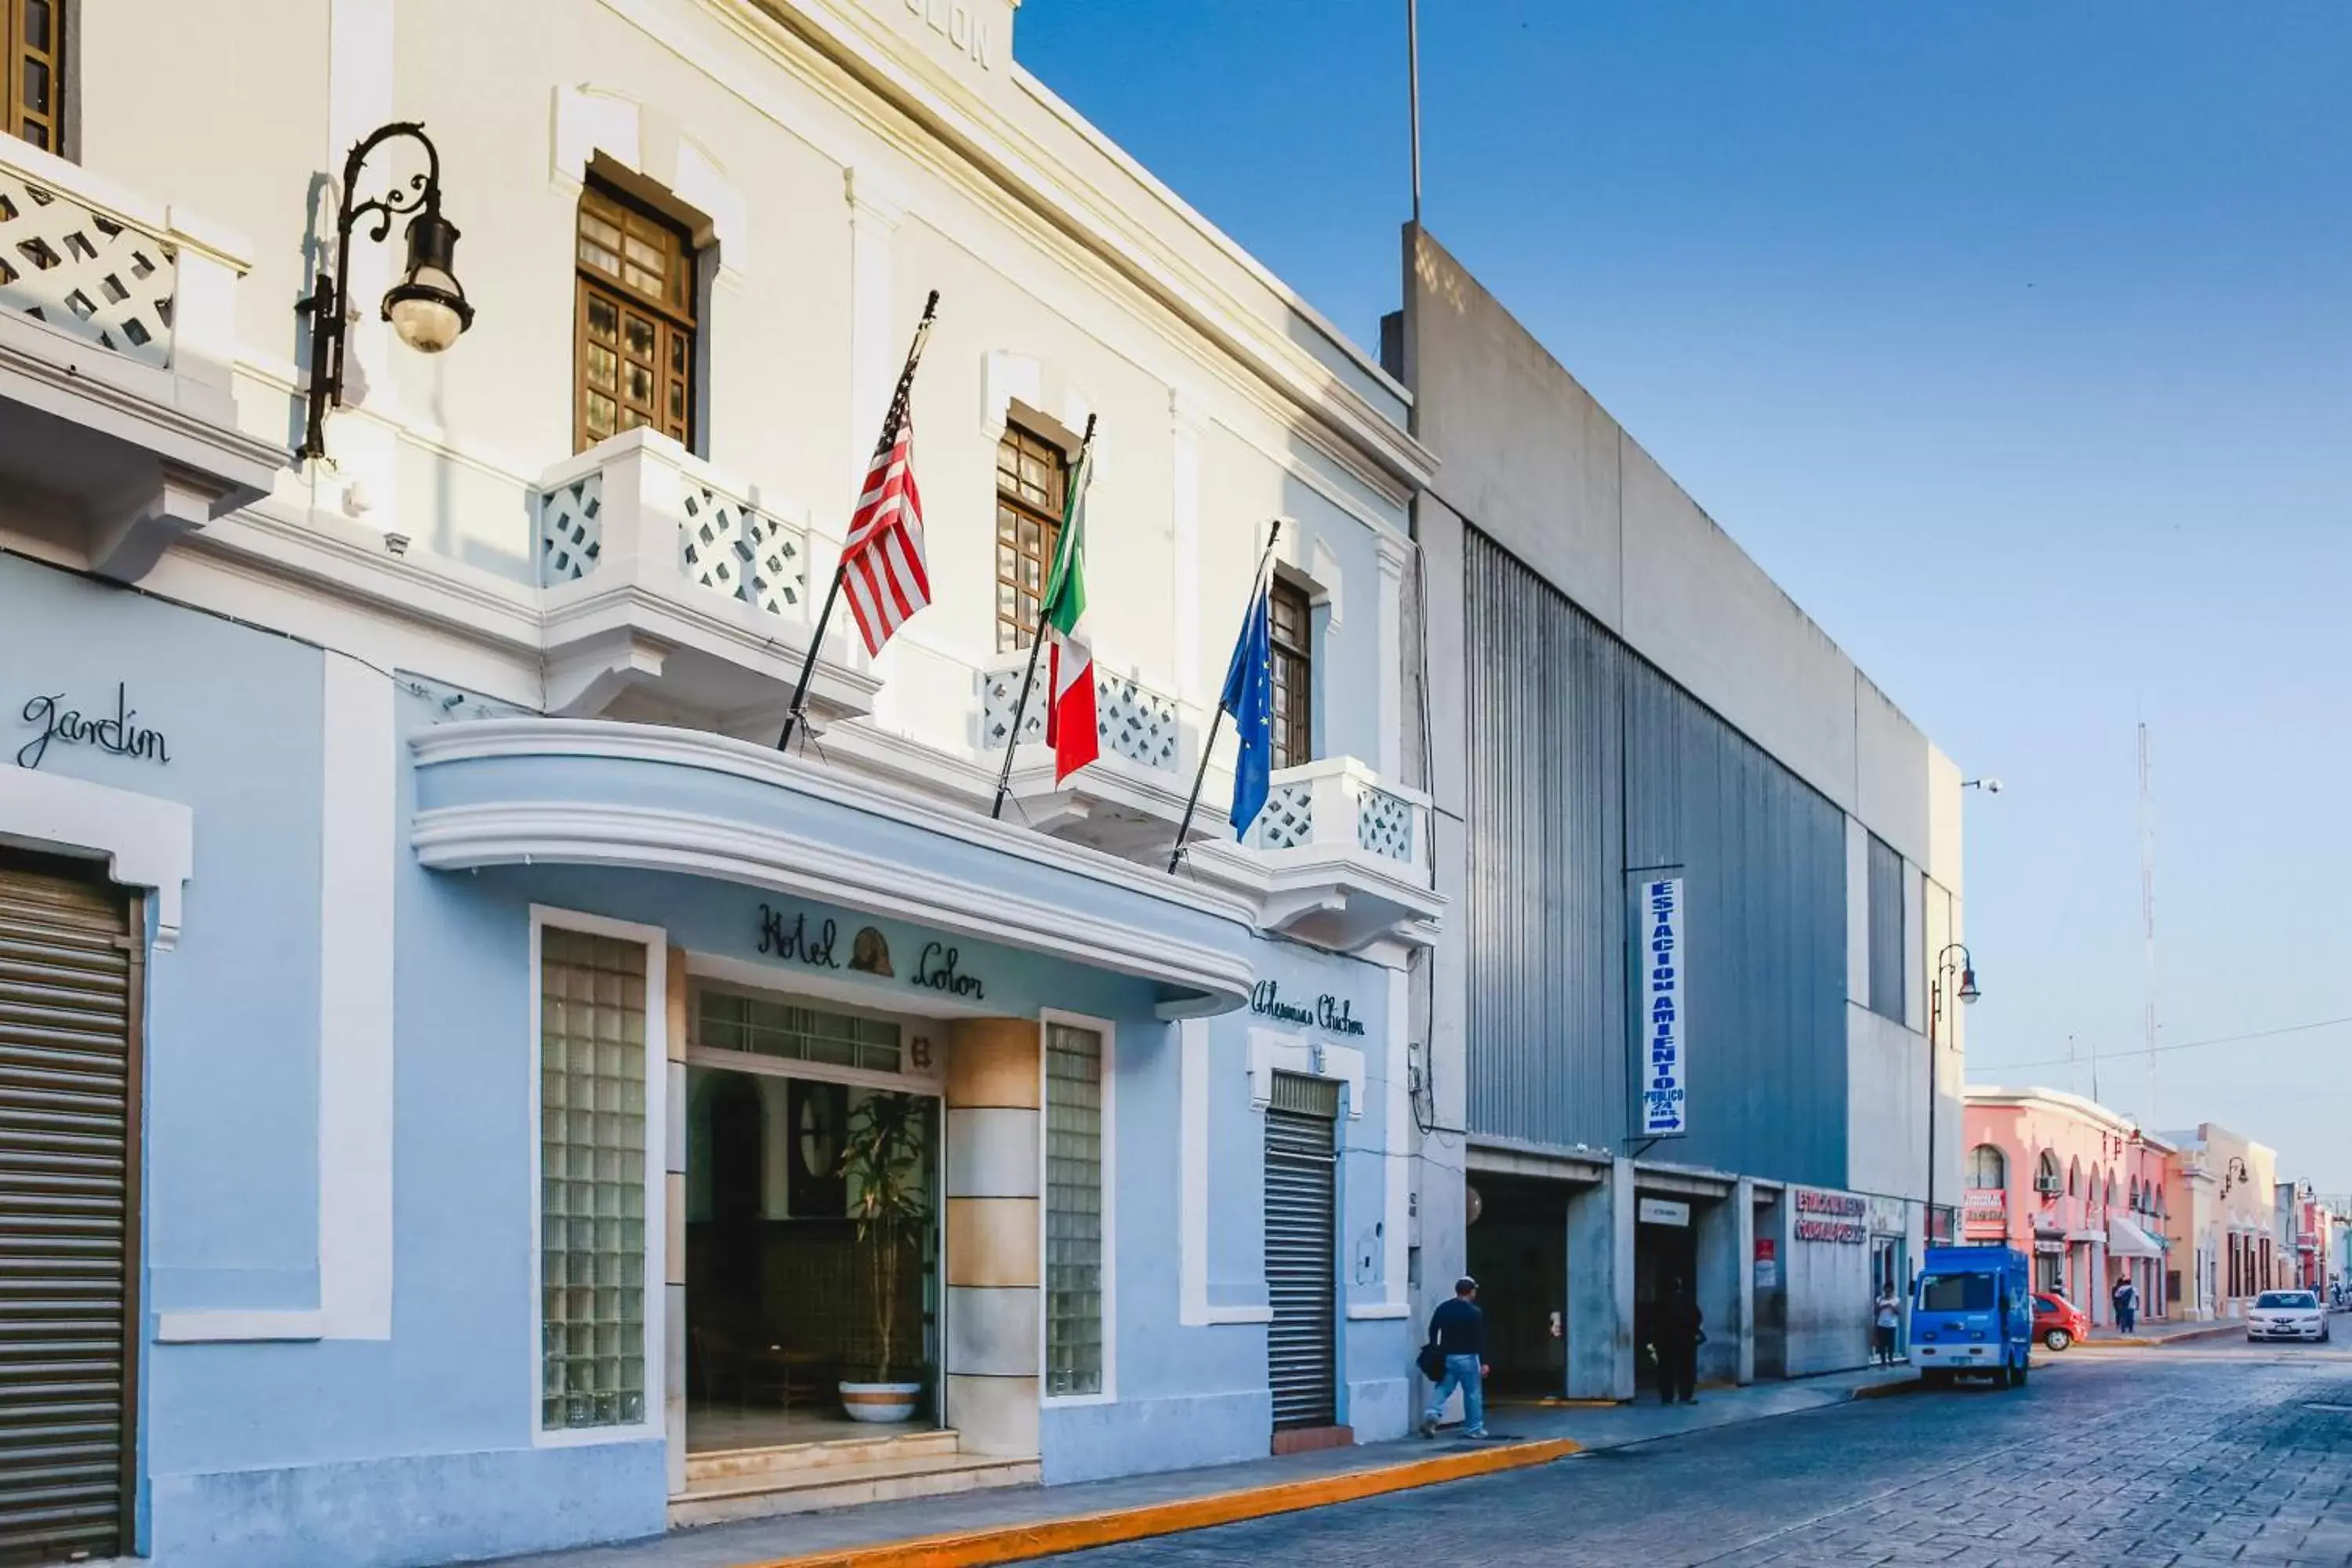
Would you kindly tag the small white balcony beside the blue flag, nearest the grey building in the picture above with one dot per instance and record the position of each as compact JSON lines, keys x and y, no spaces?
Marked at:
{"x":1344,"y":857}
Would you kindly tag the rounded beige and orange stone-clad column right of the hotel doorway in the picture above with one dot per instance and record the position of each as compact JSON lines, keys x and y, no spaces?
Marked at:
{"x":994,"y":1235}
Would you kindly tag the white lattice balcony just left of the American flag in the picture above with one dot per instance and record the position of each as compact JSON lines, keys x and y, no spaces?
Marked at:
{"x":674,"y":594}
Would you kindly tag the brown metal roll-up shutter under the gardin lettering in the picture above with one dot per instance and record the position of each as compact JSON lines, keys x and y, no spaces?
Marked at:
{"x":67,"y":1217}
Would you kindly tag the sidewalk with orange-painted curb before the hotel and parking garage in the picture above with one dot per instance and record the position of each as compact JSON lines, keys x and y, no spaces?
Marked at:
{"x":1024,"y":1522}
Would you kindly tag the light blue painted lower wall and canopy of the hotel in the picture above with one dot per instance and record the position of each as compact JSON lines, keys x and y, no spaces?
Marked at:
{"x":422,"y":1447}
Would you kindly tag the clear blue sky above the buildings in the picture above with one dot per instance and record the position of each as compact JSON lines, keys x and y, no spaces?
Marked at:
{"x":2012,"y":337}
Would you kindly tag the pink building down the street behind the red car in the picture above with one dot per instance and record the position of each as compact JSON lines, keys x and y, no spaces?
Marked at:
{"x":2076,"y":1186}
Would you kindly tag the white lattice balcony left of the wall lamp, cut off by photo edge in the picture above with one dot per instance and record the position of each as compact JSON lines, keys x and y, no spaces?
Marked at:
{"x":119,"y":431}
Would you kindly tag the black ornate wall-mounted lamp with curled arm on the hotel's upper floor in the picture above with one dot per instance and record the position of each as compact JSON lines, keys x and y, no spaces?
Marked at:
{"x":427,"y":307}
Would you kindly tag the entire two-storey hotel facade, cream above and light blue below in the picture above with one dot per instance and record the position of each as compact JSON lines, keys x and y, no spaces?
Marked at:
{"x":443,"y":1007}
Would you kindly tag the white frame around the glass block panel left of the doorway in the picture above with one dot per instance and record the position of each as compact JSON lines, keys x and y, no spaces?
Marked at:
{"x":657,"y":1160}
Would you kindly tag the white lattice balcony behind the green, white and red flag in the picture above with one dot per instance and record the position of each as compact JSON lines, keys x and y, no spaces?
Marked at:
{"x":1128,"y":800}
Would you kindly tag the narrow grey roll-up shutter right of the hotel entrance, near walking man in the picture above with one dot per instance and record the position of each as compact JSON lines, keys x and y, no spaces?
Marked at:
{"x":1302,"y":1252}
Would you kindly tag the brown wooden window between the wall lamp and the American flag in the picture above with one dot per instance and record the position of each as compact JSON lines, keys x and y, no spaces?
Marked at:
{"x":671,"y":319}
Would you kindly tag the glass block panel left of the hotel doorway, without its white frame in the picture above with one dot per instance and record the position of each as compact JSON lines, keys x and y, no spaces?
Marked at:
{"x":592,"y":1181}
